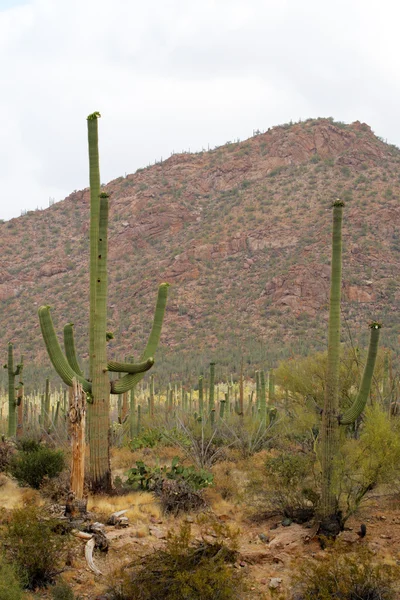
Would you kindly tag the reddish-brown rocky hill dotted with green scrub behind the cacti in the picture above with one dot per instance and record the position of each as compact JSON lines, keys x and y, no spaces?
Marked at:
{"x":242,"y":232}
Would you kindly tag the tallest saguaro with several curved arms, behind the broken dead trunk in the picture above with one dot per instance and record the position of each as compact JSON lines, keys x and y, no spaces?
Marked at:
{"x":98,"y":385}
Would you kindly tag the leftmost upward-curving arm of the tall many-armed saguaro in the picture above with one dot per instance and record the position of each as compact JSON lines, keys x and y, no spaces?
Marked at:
{"x":55,"y":353}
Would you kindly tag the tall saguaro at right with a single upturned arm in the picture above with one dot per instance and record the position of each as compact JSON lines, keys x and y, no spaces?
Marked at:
{"x":331,"y":417}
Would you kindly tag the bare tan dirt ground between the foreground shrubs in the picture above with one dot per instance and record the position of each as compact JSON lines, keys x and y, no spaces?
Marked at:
{"x":269,"y":551}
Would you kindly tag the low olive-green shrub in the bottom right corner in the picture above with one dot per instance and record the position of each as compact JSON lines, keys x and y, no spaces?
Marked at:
{"x":339,"y":573}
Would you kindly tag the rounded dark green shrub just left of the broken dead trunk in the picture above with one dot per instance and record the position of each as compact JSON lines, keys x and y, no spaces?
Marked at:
{"x":32,"y":466}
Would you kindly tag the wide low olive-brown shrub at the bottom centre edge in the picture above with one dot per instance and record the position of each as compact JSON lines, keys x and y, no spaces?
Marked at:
{"x":185,"y":569}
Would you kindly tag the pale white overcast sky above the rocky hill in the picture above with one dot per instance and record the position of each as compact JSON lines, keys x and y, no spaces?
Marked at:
{"x":173,"y":75}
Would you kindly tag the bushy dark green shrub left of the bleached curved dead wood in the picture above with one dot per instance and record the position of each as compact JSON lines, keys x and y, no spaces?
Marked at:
{"x":31,"y":545}
